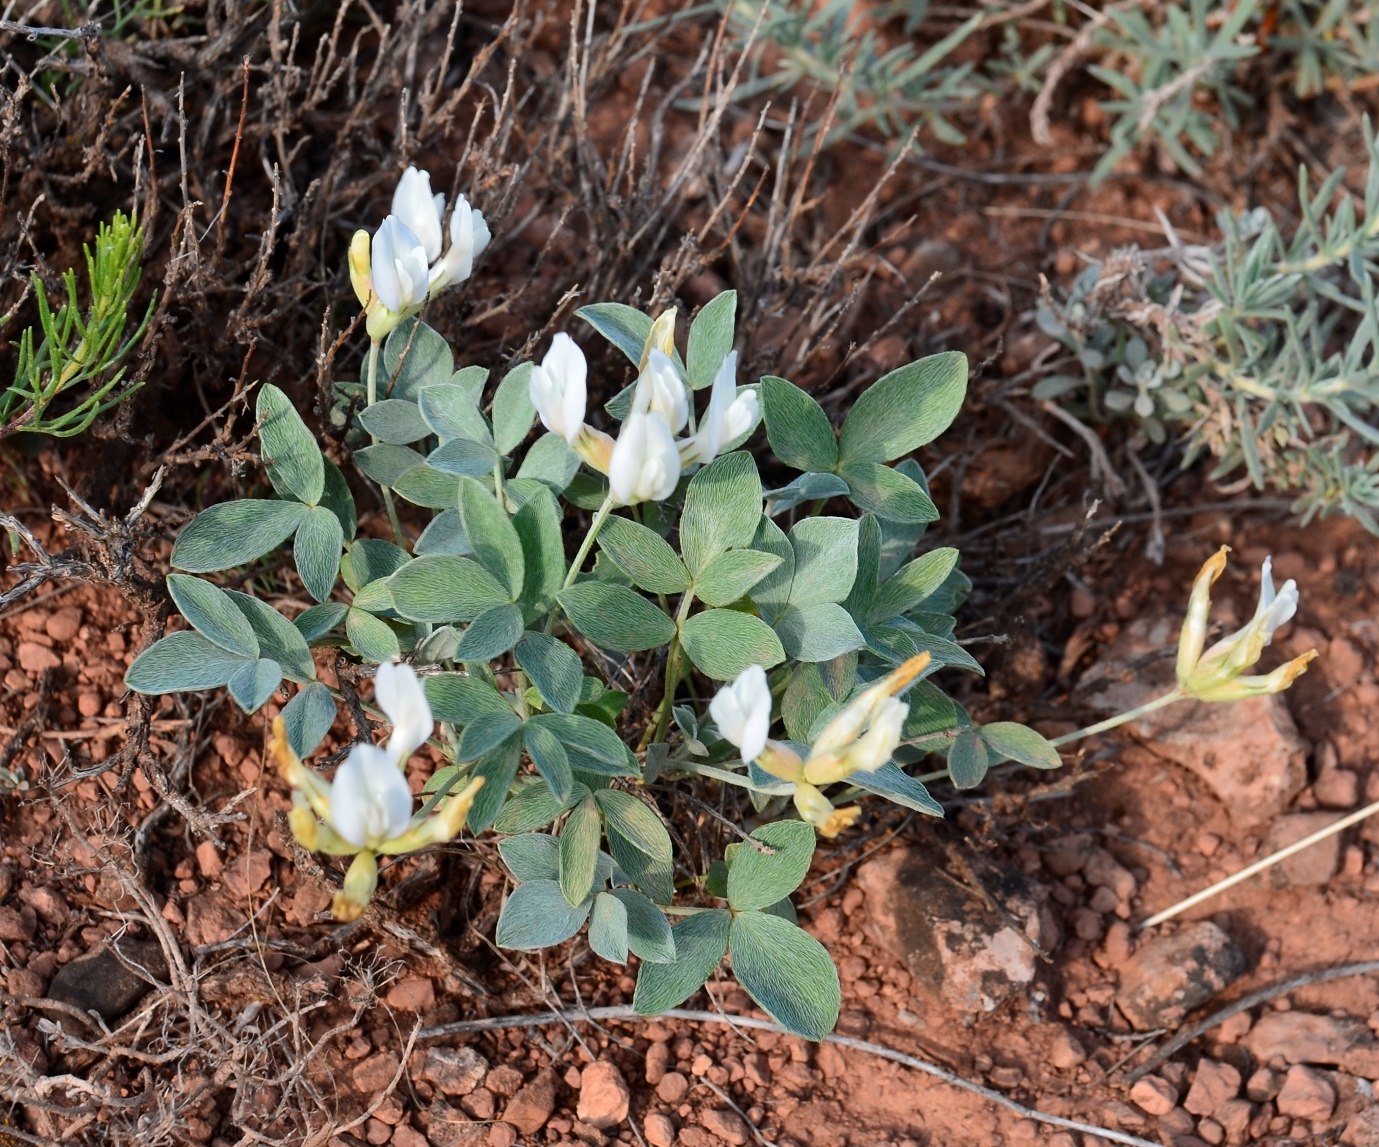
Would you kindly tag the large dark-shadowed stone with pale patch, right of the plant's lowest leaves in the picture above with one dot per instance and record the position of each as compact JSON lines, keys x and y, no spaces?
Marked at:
{"x":956,"y":942}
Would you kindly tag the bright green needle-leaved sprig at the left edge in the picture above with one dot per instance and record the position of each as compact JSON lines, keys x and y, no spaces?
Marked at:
{"x":71,"y":367}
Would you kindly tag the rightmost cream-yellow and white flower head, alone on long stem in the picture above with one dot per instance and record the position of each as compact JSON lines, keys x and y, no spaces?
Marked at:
{"x":1217,"y":673}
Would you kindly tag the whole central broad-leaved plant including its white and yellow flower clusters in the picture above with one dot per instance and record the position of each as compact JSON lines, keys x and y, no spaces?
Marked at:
{"x":806,"y":602}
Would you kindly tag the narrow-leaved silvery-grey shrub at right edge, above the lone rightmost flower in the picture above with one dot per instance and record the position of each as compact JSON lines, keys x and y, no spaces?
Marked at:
{"x":1261,"y":351}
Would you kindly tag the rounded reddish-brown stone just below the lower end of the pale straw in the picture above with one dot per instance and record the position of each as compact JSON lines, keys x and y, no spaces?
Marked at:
{"x":1170,"y":977}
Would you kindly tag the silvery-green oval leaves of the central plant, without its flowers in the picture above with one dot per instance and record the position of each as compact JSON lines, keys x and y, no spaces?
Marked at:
{"x":824,"y":582}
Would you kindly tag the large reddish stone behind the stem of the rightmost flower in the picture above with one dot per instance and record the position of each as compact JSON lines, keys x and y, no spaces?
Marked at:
{"x":1249,"y":753}
